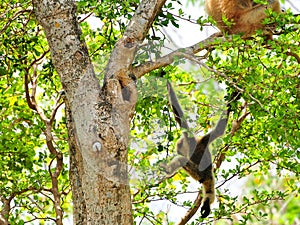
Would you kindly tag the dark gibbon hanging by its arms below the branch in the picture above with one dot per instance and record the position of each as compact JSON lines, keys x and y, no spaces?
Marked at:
{"x":193,"y":153}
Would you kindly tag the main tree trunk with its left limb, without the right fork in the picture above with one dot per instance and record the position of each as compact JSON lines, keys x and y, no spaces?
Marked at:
{"x":99,"y":150}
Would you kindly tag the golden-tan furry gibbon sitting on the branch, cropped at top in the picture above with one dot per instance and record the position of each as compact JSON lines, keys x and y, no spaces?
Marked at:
{"x":244,"y":16}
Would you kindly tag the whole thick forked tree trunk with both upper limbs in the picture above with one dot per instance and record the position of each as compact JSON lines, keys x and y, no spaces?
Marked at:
{"x":98,"y":118}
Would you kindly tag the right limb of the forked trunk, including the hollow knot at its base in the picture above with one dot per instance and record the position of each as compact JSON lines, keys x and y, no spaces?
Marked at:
{"x":119,"y":82}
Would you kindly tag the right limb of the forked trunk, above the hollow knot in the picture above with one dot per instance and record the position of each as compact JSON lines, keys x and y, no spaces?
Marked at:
{"x":123,"y":54}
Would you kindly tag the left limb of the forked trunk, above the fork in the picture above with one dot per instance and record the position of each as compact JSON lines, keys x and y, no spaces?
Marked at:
{"x":68,"y":51}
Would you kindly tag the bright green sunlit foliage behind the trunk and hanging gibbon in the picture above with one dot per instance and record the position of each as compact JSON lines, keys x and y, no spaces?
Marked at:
{"x":263,"y":153}
